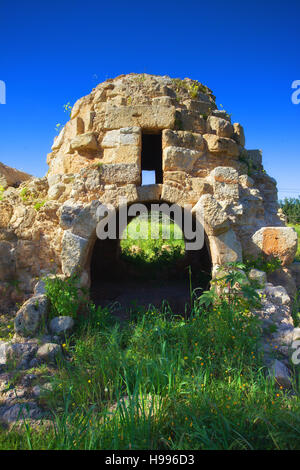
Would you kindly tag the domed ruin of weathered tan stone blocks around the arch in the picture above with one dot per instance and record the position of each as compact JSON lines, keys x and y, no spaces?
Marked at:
{"x":125,"y":126}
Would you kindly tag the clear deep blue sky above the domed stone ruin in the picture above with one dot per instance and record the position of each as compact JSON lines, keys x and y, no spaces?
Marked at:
{"x":247,"y":52}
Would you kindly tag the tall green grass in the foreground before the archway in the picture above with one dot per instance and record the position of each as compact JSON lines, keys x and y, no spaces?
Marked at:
{"x":166,"y":382}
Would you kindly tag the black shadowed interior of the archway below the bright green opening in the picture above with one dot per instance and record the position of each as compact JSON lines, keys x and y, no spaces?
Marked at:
{"x":115,"y":281}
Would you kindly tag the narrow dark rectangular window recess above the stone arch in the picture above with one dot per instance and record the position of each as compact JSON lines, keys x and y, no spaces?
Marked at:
{"x":152,"y":155}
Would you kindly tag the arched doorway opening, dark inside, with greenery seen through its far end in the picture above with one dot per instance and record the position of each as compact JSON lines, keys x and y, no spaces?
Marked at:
{"x":124,"y":273}
